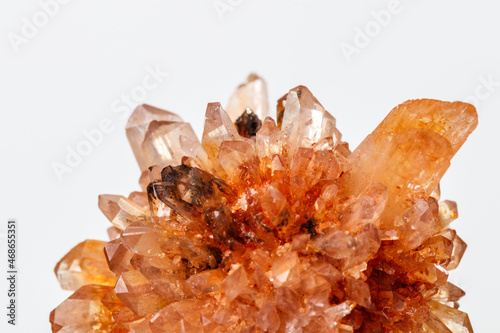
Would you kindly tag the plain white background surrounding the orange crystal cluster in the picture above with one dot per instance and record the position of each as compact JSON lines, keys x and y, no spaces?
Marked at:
{"x":64,"y":79}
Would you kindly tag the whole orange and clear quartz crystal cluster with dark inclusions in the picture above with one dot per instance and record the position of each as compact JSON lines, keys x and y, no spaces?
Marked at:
{"x":268,"y":226}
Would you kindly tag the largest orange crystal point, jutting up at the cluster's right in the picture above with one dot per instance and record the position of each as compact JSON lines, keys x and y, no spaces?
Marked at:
{"x":410,"y":151}
